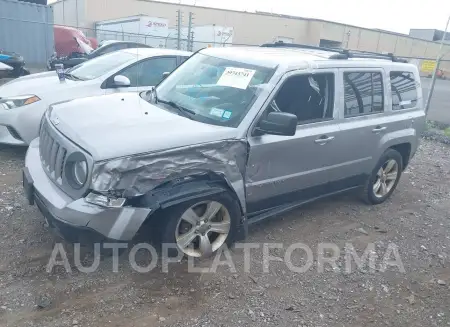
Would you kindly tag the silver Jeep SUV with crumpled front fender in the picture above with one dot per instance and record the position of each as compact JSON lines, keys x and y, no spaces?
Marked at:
{"x":231,"y":137}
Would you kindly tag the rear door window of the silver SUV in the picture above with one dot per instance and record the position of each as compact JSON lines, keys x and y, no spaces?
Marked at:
{"x":363,"y":93}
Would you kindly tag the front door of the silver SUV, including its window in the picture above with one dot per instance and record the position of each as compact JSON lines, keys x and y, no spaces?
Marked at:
{"x":288,"y":169}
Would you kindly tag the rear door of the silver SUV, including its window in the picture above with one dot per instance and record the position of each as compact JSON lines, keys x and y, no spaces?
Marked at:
{"x":362,"y":123}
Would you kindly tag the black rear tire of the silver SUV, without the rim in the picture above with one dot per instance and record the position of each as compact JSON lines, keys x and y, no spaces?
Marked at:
{"x":368,"y":194}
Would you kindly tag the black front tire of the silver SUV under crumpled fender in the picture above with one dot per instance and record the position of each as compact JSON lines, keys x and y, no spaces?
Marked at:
{"x":164,"y":225}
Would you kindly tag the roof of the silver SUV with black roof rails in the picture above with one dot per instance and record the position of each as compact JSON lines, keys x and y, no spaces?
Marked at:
{"x":272,"y":57}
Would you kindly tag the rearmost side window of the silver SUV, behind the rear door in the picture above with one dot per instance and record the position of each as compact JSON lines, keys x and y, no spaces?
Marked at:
{"x":404,"y":90}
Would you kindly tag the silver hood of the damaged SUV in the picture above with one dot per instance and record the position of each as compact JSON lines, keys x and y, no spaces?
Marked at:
{"x":118,"y":125}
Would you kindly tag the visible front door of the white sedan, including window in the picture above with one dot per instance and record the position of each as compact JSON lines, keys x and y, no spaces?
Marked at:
{"x":143,"y":75}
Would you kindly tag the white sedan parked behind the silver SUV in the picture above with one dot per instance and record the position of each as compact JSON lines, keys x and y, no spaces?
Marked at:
{"x":24,"y":100}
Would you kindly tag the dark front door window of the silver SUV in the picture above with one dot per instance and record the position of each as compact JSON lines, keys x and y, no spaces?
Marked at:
{"x":309,"y":97}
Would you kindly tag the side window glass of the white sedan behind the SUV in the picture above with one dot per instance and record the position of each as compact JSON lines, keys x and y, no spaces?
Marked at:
{"x":149,"y":72}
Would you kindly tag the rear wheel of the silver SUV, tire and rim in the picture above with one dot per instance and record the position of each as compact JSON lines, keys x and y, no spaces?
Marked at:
{"x":384,"y":178}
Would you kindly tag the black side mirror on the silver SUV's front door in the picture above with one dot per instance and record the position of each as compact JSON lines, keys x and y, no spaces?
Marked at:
{"x":279,"y":123}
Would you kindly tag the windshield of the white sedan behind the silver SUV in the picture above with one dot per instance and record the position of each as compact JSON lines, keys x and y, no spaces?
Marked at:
{"x":96,"y":67}
